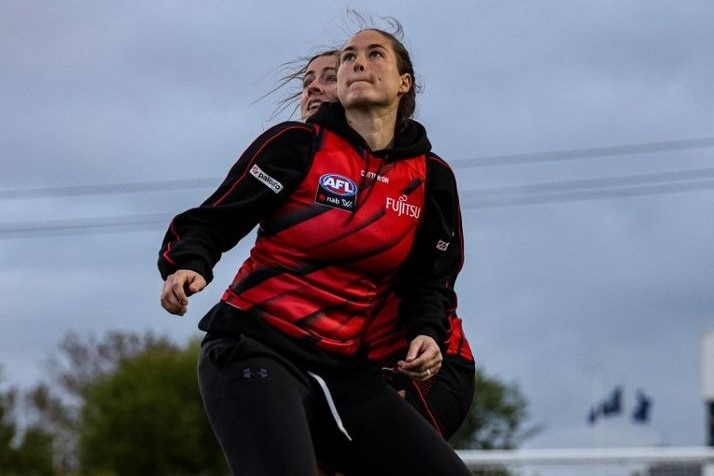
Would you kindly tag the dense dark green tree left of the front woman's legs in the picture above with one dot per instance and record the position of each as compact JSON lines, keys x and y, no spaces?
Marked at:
{"x":147,"y":418}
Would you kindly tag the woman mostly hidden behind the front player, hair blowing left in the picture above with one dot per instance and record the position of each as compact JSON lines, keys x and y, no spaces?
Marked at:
{"x":445,"y":398}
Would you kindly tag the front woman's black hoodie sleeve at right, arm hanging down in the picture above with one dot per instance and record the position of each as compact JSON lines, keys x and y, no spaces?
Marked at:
{"x":427,"y":280}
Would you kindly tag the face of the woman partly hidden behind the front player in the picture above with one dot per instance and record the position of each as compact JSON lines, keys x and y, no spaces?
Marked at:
{"x":318,"y":85}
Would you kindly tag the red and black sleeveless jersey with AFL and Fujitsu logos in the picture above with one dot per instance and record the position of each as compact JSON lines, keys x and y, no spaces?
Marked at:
{"x":333,"y":247}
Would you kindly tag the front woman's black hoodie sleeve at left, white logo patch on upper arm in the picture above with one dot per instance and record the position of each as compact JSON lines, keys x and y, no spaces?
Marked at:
{"x":269,"y":169}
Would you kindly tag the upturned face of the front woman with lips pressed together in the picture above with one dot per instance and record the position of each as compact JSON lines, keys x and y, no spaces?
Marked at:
{"x":368,"y":74}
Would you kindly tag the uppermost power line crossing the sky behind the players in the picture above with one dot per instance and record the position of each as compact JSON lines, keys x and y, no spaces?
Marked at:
{"x":495,"y":160}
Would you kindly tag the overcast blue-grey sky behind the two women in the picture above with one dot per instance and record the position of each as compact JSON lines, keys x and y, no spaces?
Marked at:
{"x":576,"y":280}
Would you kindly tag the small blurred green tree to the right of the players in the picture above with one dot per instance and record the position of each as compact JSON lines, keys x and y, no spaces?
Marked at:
{"x":495,"y":420}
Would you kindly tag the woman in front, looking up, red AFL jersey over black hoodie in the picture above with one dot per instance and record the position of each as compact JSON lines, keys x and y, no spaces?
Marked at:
{"x":352,"y":207}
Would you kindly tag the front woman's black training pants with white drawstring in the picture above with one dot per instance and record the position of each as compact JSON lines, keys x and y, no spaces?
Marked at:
{"x":272,"y":419}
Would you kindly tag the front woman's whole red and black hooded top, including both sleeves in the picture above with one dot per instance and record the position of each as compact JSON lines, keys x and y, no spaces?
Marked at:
{"x":270,"y":185}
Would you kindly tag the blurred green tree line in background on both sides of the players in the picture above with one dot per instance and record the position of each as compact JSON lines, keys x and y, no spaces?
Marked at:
{"x":128,"y":404}
